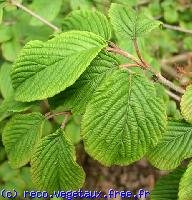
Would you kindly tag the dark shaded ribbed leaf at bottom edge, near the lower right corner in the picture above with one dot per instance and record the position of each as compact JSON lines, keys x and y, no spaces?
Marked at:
{"x":167,"y":187}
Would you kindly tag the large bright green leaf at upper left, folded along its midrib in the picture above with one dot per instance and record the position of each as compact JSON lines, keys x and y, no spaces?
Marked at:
{"x":44,"y":69}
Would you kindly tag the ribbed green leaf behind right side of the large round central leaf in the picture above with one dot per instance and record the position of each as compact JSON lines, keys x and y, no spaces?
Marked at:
{"x":175,"y":146}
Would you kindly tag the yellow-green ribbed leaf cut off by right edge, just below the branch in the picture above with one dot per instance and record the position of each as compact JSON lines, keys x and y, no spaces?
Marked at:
{"x":186,"y":104}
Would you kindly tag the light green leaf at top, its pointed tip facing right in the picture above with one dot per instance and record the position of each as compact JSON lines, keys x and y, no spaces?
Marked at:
{"x":130,"y":24}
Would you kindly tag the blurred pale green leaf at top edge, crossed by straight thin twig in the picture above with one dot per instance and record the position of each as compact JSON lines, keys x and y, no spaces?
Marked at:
{"x":49,"y":10}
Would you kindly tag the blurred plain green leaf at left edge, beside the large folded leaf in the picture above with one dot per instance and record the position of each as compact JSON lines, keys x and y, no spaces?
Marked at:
{"x":5,"y":80}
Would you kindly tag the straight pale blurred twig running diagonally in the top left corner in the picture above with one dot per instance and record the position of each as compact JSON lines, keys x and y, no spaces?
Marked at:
{"x":19,"y":5}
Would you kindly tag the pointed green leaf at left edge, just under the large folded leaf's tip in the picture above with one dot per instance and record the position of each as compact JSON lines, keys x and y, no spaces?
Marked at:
{"x":10,"y":106}
